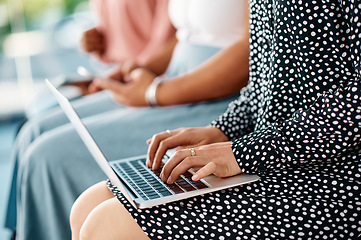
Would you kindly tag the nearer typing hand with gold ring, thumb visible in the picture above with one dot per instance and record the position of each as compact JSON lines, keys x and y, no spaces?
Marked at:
{"x":217,"y":159}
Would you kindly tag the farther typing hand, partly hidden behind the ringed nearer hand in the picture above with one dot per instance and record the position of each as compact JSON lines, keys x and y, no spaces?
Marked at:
{"x":182,"y":138}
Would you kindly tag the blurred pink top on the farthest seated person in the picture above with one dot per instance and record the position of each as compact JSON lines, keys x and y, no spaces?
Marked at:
{"x":133,"y":29}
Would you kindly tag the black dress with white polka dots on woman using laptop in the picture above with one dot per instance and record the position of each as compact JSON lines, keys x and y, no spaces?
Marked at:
{"x":297,"y":125}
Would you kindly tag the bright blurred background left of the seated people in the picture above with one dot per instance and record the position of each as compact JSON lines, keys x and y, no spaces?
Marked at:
{"x":38,"y":39}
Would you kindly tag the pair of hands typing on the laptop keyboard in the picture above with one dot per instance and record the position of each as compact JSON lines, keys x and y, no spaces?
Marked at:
{"x":216,"y":158}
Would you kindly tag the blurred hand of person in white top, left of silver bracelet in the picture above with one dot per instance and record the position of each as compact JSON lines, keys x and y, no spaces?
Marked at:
{"x":130,"y":93}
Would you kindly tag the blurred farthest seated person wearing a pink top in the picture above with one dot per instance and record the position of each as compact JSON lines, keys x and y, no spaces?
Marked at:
{"x":129,"y":33}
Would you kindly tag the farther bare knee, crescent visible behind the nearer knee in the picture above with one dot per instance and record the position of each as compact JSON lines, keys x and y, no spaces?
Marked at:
{"x":86,"y":202}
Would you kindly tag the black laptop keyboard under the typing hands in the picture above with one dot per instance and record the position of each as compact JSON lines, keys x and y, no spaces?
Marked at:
{"x":147,"y":183}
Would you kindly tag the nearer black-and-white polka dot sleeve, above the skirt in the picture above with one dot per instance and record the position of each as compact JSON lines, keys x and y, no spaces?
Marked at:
{"x":330,"y":129}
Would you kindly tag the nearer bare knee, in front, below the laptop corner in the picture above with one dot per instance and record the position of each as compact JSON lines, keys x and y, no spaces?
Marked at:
{"x":110,"y":220}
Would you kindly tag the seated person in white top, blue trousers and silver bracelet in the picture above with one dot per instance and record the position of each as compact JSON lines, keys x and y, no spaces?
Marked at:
{"x":199,"y":77}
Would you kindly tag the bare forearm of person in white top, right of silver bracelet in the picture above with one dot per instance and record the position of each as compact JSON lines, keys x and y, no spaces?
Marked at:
{"x":223,"y":75}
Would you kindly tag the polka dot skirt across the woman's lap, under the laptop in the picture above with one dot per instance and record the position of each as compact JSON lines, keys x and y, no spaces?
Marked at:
{"x":290,"y":204}
